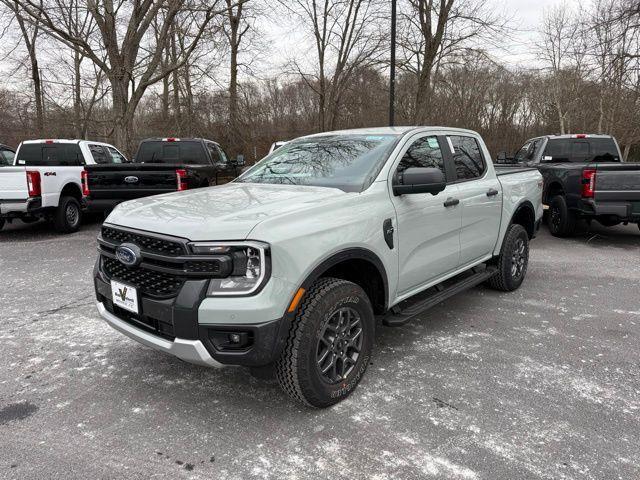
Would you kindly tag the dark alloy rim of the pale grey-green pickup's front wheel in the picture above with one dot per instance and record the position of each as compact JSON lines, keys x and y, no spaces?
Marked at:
{"x":339,"y":345}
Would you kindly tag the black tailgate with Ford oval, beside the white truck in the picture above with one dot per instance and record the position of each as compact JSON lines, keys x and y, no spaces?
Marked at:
{"x":130,"y":181}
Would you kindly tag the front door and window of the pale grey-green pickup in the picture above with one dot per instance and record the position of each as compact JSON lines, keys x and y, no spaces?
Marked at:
{"x":428,"y":231}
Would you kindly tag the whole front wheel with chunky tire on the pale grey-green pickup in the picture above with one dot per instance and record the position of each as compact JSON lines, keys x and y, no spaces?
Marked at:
{"x":299,"y":369}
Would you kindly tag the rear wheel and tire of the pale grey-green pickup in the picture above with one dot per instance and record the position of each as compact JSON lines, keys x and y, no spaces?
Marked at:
{"x":513,"y":260}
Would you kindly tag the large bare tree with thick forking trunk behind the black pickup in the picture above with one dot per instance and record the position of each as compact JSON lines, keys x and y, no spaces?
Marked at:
{"x":122,"y":28}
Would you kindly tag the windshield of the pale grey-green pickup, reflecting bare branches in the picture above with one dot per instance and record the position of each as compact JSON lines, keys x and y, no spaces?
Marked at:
{"x":347,"y":162}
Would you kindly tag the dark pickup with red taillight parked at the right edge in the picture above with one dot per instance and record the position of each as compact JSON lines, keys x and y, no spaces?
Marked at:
{"x":584,"y":178}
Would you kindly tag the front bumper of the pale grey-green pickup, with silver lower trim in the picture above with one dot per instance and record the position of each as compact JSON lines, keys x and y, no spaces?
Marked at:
{"x":172,"y":325}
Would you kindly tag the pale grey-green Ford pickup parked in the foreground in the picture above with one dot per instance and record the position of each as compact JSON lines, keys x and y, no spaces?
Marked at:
{"x":288,"y":266}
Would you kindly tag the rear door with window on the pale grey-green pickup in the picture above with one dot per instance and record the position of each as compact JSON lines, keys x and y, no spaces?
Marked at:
{"x":480,"y":197}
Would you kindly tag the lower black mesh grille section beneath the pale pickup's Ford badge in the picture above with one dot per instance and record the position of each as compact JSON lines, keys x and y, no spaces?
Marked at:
{"x":150,"y":282}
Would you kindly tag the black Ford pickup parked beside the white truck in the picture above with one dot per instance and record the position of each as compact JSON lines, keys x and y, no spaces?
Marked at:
{"x":160,"y":165}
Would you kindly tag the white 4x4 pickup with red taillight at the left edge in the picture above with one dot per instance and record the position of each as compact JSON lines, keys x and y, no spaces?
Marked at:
{"x":45,"y":180}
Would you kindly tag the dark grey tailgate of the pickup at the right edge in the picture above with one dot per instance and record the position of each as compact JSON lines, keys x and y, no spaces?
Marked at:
{"x":617,"y":182}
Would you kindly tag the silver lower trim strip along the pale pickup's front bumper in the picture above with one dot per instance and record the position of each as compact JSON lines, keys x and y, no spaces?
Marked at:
{"x":192,"y":351}
